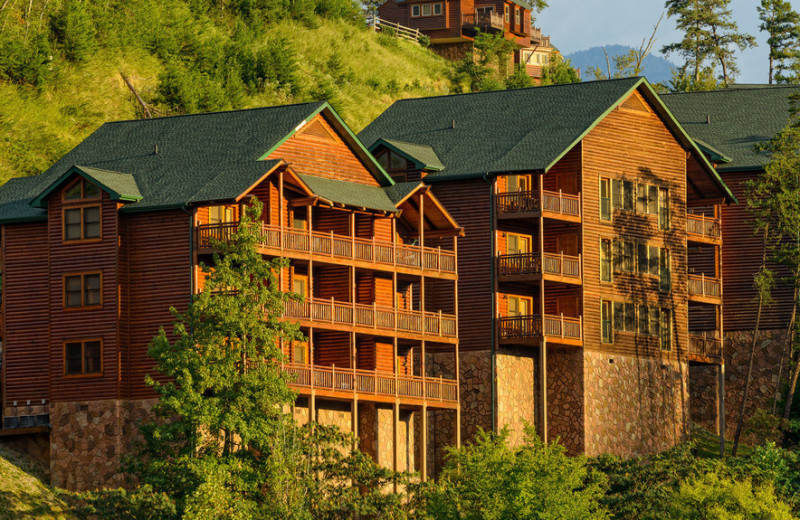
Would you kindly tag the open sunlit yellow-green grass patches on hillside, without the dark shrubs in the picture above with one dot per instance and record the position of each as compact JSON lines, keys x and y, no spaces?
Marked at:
{"x":38,"y":127}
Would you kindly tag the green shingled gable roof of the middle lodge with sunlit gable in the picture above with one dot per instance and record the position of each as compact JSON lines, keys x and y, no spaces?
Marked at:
{"x":528,"y":129}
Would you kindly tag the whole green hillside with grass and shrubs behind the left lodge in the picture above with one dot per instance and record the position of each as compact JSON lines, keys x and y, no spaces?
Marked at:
{"x":57,"y":86}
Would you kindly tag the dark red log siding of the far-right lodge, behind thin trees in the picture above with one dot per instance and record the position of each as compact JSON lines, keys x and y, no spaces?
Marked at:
{"x":741,"y":258}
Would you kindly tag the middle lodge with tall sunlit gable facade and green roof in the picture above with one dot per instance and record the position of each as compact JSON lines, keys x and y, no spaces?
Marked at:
{"x":589,"y":275}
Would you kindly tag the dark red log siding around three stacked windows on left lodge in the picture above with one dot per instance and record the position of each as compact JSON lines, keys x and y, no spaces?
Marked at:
{"x":67,"y":325}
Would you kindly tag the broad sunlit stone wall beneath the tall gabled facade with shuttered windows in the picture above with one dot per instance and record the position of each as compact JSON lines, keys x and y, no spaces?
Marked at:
{"x":634,"y":405}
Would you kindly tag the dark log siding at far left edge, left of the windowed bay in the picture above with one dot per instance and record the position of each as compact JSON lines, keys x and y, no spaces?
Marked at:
{"x":26,"y":350}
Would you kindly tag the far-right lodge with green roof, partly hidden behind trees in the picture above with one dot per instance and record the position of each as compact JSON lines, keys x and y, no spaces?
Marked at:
{"x":727,"y":124}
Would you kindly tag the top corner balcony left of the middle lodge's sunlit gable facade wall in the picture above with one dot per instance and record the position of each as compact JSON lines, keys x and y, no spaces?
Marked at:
{"x":526,"y":204}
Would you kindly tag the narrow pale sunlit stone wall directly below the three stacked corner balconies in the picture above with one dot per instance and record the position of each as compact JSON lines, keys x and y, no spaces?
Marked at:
{"x":516,"y":391}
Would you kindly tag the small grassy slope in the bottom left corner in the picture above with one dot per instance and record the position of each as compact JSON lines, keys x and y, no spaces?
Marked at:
{"x":22,"y":494}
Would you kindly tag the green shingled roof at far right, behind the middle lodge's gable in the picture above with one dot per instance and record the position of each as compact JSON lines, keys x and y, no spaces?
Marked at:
{"x":733,"y":121}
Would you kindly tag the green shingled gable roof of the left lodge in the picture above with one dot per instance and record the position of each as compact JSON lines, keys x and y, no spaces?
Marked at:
{"x":169,"y":162}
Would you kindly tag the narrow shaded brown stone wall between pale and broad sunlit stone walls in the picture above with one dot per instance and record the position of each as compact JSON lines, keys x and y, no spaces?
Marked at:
{"x":565,"y":398}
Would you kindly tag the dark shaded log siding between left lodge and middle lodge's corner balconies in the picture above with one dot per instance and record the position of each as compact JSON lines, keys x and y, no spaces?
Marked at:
{"x":475,"y":261}
